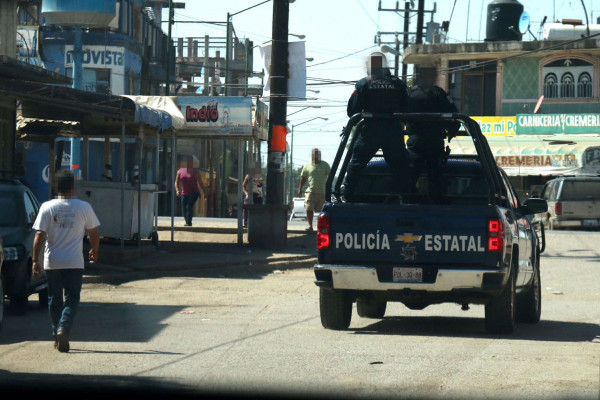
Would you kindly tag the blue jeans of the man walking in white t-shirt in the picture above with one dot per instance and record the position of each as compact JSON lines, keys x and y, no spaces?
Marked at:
{"x":62,"y":312}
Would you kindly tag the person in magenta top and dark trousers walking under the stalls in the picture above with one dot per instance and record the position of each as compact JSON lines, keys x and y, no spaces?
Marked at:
{"x":188,"y":184}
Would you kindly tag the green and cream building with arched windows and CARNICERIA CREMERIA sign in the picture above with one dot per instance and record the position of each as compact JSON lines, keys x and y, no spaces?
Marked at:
{"x":515,"y":83}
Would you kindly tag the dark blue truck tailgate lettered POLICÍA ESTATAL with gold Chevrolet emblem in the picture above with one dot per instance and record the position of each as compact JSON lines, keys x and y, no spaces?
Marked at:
{"x":408,"y":235}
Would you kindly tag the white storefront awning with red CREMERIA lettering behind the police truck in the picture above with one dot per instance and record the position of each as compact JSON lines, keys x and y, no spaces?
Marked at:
{"x":549,"y":155}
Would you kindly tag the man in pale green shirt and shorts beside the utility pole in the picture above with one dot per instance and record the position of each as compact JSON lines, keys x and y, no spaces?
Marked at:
{"x":315,"y":176}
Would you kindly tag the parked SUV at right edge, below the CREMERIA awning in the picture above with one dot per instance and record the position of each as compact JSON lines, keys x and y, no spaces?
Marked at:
{"x":573,"y":202}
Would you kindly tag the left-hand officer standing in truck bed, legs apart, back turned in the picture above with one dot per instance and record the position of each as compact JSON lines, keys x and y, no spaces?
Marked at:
{"x":378,"y":92}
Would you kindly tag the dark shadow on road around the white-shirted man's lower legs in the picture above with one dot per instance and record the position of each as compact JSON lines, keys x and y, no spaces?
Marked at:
{"x":94,"y":322}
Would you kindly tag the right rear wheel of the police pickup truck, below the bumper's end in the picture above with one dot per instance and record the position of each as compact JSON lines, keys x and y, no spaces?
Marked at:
{"x":500,"y":311}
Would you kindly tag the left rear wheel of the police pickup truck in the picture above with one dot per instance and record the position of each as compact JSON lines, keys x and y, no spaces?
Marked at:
{"x":336,"y":309}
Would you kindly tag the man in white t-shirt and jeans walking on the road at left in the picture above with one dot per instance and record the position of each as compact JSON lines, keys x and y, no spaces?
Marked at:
{"x":61,"y":224}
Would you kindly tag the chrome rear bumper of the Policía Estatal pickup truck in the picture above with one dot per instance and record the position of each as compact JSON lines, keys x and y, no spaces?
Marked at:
{"x":365,"y":278}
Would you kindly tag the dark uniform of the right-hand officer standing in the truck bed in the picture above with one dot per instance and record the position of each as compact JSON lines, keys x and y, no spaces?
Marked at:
{"x":426,"y":139}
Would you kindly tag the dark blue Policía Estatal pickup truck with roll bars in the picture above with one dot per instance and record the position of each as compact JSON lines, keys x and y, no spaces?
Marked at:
{"x":479,"y":245}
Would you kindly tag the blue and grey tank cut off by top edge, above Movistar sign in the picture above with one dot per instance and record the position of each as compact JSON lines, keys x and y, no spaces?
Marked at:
{"x":87,"y":13}
